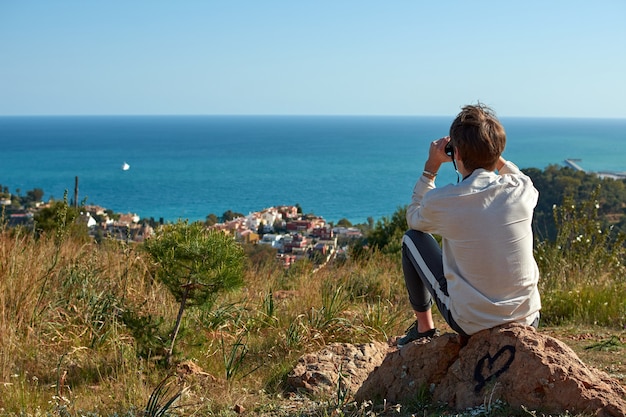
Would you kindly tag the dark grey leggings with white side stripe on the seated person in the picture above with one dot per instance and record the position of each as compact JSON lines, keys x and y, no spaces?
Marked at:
{"x":422,"y":264}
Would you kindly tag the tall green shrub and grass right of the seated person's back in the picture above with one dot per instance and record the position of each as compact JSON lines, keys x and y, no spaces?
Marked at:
{"x":582,"y":270}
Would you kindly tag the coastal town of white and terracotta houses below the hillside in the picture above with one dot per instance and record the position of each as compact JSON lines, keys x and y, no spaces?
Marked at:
{"x":293,"y":235}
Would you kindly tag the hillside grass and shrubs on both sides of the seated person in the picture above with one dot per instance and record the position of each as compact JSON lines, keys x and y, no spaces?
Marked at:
{"x":86,"y":328}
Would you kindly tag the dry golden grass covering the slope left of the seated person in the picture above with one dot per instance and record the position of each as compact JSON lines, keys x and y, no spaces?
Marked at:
{"x":82,"y":327}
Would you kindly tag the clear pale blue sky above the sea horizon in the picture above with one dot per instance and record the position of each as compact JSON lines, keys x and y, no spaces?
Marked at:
{"x":547,"y":58}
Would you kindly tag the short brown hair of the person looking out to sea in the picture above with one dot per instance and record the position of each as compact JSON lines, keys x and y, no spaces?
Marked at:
{"x":478,"y":136}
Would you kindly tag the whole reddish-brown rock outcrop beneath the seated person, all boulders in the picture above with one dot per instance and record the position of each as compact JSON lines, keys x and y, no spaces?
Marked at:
{"x":512,"y":363}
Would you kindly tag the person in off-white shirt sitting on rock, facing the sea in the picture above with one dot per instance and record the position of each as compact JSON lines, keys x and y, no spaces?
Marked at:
{"x":484,"y":274}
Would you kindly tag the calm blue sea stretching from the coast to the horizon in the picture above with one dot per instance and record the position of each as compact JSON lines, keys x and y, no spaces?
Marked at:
{"x":336,"y":167}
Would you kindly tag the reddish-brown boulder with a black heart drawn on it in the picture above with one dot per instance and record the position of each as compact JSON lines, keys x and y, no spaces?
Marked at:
{"x":523,"y":367}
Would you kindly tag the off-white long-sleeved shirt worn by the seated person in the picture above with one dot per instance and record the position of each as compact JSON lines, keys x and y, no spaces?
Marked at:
{"x":487,"y":244}
